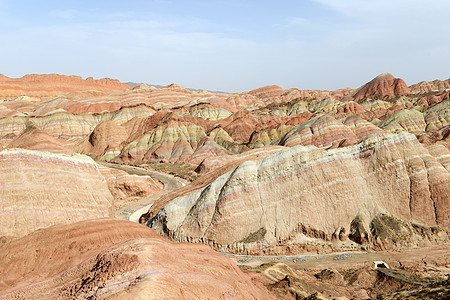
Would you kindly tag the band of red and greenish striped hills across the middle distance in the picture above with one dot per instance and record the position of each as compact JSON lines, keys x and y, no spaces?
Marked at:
{"x":112,"y":127}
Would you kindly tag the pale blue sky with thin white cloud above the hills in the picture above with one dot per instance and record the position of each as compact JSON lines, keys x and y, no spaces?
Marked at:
{"x":230,"y":46}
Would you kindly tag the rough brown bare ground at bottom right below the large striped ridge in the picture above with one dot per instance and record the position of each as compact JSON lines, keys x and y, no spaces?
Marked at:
{"x":420,"y":273}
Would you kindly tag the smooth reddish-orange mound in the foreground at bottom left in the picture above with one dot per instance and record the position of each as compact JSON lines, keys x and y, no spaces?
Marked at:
{"x":108,"y":258}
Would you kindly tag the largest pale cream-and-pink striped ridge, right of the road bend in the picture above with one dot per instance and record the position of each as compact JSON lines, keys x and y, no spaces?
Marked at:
{"x":308,"y":196}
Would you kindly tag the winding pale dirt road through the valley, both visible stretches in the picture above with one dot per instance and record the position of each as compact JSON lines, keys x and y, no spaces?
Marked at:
{"x":311,"y":261}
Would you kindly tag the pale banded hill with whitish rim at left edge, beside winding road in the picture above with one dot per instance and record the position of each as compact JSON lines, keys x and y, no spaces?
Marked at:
{"x":39,"y":189}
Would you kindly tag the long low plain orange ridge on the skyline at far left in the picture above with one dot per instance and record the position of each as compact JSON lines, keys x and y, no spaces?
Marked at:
{"x":45,"y":85}
